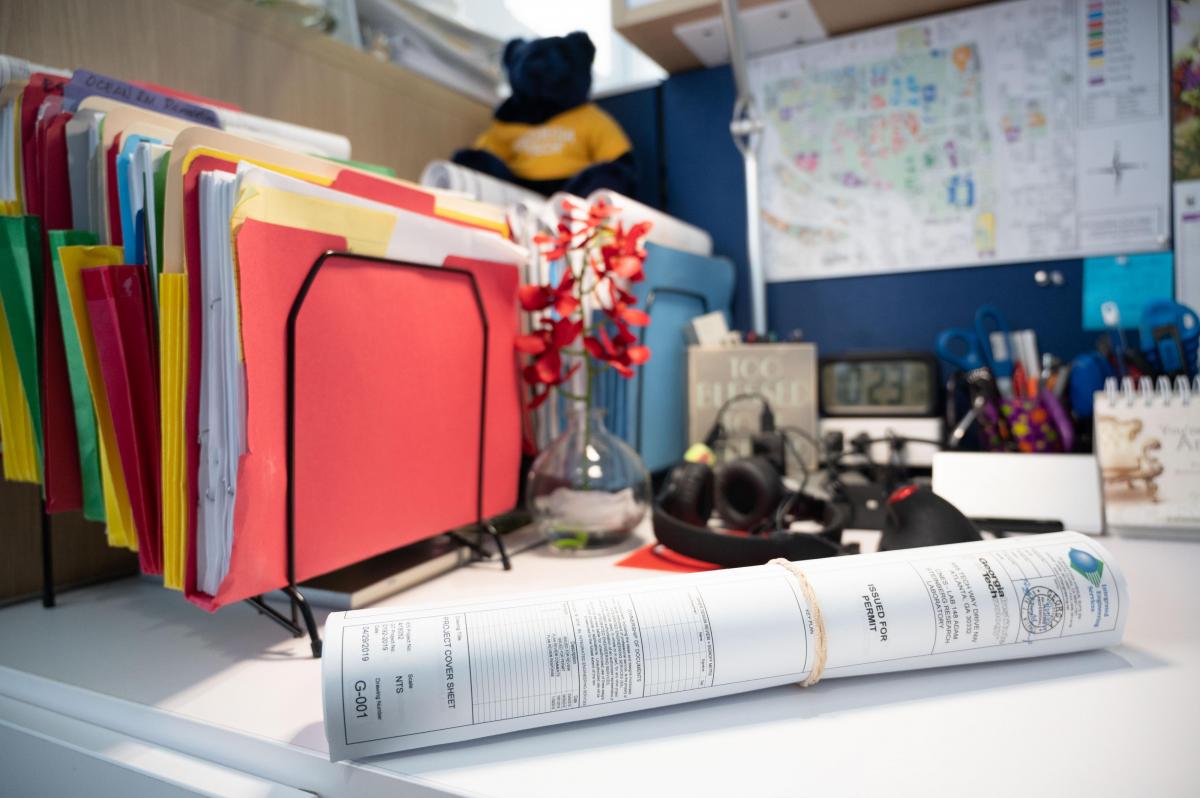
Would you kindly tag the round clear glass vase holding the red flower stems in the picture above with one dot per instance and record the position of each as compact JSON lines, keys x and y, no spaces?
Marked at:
{"x":589,"y":489}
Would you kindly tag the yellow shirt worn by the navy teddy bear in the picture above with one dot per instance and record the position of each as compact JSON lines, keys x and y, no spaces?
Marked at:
{"x":559,"y":148}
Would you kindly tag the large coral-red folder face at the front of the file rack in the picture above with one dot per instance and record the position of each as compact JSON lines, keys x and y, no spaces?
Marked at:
{"x":389,"y":370}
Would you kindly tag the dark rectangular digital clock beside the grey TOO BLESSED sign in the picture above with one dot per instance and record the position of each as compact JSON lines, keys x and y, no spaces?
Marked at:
{"x":889,"y":383}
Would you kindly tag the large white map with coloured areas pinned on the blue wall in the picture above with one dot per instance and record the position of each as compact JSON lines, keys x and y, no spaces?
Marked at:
{"x":1019,"y":131}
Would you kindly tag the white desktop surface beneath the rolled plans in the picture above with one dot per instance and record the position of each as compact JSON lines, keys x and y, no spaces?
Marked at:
{"x":235,"y":688}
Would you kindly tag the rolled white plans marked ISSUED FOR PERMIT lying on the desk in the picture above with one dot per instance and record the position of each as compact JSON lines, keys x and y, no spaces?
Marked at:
{"x":399,"y":679}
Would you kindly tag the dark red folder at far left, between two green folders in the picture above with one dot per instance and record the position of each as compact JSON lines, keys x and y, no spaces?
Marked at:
{"x":64,"y":484}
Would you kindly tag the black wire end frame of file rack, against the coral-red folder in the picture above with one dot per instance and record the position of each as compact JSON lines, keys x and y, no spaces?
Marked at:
{"x":301,"y":608}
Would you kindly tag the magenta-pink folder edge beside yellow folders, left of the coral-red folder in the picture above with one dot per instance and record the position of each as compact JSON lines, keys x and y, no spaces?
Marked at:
{"x":117,"y":313}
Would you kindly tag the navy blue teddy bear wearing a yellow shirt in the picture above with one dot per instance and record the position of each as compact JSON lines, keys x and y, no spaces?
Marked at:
{"x":547,"y":136}
